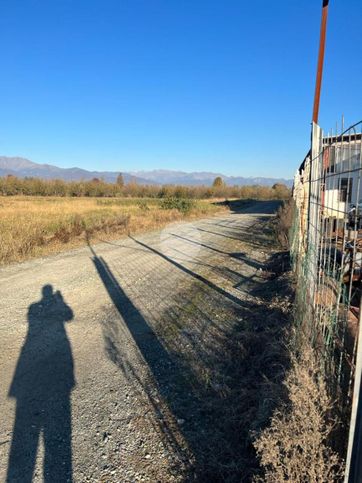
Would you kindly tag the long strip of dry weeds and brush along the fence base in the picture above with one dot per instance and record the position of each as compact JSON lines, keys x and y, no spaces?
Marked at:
{"x":295,"y":445}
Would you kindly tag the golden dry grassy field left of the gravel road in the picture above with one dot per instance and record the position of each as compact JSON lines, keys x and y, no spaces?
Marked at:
{"x":36,"y":226}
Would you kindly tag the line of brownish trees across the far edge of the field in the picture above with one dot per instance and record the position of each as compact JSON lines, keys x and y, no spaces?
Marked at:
{"x":12,"y":185}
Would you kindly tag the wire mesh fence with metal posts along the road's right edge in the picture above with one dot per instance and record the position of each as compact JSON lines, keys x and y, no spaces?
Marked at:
{"x":327,"y":253}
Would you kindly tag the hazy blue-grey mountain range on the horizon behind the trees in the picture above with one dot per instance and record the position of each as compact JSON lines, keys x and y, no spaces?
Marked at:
{"x":22,"y":167}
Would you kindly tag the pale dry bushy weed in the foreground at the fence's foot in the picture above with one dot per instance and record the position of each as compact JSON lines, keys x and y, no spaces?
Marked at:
{"x":295,"y":445}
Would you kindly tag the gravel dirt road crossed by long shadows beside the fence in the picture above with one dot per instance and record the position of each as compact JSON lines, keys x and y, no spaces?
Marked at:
{"x":139,"y":360}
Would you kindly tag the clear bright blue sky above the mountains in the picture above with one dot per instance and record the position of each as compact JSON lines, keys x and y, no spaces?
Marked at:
{"x":193,"y":85}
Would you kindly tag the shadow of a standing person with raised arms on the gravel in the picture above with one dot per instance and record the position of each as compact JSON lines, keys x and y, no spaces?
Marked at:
{"x":41,"y":385}
